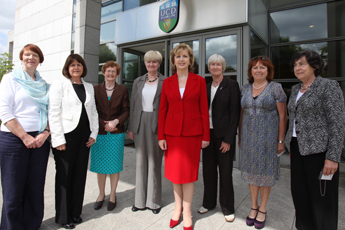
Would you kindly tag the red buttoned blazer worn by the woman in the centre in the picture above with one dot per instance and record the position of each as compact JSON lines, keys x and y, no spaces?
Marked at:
{"x":187,"y":116}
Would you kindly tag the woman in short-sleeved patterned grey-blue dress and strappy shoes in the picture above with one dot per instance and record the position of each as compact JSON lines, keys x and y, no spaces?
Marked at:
{"x":262,"y":130}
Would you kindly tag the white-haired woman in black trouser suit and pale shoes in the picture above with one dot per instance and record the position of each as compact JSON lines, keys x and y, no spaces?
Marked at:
{"x":224,"y":109}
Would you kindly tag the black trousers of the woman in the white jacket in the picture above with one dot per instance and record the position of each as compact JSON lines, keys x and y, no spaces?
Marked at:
{"x":71,"y":168}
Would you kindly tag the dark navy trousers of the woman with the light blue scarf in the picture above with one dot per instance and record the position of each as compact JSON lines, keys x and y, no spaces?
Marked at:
{"x":23,"y":173}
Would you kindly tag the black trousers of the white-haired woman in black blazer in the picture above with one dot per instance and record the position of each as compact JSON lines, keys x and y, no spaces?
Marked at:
{"x":213,"y":158}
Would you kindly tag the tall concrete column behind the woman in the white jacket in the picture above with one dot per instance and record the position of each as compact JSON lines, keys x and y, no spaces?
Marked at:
{"x":87,"y":35}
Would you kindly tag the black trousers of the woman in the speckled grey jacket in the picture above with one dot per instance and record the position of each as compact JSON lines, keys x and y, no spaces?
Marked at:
{"x":313,"y":211}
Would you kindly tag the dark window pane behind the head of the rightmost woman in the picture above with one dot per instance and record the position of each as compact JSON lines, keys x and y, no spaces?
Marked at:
{"x":332,"y":52}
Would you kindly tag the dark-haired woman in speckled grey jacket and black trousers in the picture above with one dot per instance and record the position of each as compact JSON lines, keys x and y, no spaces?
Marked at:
{"x":315,"y":140}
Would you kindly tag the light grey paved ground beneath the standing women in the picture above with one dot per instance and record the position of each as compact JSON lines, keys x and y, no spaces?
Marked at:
{"x":280,"y":208}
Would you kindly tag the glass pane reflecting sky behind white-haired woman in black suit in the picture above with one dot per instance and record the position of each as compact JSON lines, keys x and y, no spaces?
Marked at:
{"x":225,"y":46}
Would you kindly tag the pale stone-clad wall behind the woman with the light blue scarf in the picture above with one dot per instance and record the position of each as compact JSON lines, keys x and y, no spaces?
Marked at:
{"x":48,"y":24}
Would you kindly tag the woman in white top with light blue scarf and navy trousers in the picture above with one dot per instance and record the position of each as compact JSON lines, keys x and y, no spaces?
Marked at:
{"x":24,"y":148}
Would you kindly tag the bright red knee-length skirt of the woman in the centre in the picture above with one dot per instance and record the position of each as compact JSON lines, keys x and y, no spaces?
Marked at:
{"x":182,"y":158}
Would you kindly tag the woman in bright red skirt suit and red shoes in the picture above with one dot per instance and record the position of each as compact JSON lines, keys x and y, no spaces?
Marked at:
{"x":183,"y":129}
